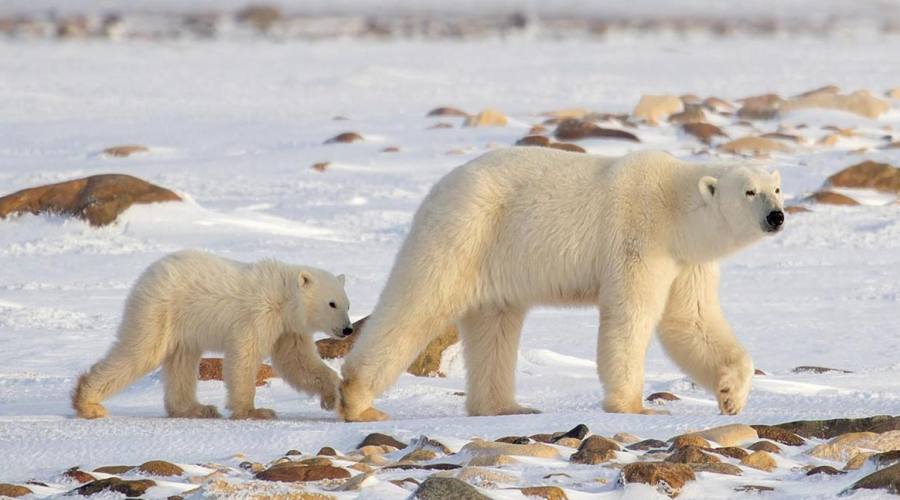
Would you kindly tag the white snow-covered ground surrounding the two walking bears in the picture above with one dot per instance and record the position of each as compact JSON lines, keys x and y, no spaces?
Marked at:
{"x":235,"y":128}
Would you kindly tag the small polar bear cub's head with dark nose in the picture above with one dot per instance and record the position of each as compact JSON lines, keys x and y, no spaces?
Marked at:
{"x":324,"y":302}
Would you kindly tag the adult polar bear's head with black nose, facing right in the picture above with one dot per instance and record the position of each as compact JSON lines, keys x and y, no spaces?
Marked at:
{"x":748,"y":198}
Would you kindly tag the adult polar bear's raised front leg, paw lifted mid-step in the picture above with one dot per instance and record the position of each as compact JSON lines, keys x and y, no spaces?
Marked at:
{"x":697,"y":337}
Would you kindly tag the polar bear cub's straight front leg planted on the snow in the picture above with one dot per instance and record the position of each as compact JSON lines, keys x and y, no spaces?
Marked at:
{"x":240,"y":366}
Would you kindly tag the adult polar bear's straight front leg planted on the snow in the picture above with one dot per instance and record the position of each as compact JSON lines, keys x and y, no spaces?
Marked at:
{"x":628,"y":314}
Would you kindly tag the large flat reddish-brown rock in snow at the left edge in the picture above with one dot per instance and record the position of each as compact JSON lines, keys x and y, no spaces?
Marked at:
{"x":98,"y":199}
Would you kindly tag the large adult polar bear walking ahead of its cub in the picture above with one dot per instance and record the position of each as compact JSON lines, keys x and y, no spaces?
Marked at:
{"x":638,"y":237}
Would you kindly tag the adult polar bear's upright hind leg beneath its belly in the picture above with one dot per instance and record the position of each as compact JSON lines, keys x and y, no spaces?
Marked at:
{"x":490,"y":339}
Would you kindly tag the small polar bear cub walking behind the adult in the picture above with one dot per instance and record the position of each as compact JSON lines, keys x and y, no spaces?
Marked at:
{"x":191,"y":302}
